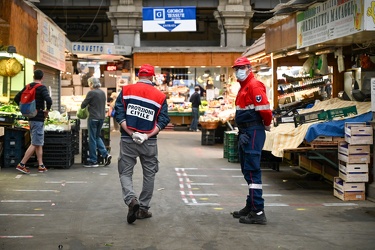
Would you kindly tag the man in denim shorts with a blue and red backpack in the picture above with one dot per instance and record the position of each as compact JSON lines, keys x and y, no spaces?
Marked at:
{"x":43,"y":103}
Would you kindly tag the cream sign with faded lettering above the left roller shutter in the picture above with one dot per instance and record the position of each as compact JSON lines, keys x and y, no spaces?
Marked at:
{"x":51,"y":49}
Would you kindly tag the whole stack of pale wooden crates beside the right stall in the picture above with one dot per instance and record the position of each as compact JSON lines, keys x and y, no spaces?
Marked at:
{"x":354,"y":159}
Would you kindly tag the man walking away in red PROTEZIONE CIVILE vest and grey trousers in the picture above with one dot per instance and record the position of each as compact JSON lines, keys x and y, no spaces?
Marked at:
{"x":142,"y":112}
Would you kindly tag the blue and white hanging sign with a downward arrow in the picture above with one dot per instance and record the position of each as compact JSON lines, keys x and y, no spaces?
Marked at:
{"x":169,"y":19}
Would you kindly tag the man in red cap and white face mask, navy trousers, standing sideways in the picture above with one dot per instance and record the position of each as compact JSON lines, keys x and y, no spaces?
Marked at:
{"x":253,"y":117}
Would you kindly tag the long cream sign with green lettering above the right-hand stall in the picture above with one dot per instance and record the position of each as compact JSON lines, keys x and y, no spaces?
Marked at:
{"x":334,"y":19}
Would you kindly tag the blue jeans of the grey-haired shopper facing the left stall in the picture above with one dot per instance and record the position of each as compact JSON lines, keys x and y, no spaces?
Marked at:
{"x":95,"y":141}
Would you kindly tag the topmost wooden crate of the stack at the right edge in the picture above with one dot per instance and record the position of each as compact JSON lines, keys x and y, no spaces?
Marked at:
{"x":358,"y":133}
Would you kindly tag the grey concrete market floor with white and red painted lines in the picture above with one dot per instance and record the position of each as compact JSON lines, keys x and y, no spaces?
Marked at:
{"x":196,"y":190}
